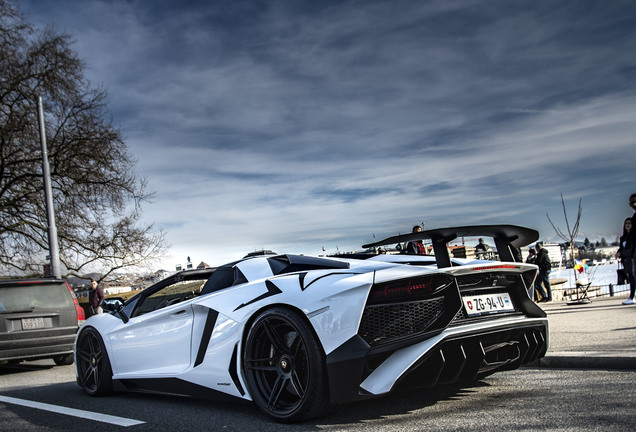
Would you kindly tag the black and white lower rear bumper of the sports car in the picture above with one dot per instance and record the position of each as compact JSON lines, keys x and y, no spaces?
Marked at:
{"x":457,"y":354}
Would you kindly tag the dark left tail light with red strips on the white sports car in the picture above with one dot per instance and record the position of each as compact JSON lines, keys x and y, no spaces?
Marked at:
{"x":411,"y":289}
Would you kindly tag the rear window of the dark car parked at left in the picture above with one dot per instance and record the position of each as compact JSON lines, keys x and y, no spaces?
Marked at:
{"x":34,"y":297}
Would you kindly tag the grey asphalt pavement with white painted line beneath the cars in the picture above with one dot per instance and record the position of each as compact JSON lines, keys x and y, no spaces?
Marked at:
{"x":527,"y":399}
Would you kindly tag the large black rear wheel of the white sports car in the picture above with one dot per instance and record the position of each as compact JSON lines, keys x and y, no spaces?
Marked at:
{"x":284,"y":367}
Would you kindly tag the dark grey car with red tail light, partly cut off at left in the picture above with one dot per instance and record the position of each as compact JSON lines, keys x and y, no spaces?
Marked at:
{"x":38,"y":319}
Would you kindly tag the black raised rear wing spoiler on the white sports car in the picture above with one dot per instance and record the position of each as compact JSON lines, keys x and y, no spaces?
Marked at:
{"x":505,"y":236}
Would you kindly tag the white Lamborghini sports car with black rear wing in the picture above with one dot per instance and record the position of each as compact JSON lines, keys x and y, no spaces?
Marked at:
{"x":296,"y":334}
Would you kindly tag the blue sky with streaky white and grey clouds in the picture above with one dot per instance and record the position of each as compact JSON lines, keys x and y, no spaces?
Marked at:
{"x":298,"y":125}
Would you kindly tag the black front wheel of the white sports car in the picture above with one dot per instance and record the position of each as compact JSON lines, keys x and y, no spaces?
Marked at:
{"x":94,"y":374}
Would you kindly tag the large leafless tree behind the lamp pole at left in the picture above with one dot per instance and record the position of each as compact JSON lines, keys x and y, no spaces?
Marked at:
{"x":96,"y":193}
